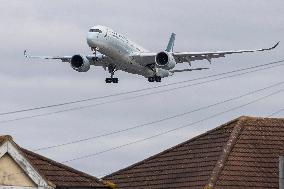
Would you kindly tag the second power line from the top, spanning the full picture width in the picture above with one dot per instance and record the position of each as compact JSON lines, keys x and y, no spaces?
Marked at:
{"x":134,"y":97}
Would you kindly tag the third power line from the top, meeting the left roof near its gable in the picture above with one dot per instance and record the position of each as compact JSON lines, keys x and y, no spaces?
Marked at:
{"x":160,"y":120}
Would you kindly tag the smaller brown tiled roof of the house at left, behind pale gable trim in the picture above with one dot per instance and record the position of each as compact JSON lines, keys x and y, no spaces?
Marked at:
{"x":56,"y":173}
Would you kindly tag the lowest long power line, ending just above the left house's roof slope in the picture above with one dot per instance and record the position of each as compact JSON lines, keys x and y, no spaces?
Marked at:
{"x":171,"y":130}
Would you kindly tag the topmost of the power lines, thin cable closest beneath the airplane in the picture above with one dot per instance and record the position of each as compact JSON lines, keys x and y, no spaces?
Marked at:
{"x":135,"y":91}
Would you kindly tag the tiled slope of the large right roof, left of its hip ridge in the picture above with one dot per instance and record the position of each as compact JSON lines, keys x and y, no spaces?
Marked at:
{"x":186,"y":165}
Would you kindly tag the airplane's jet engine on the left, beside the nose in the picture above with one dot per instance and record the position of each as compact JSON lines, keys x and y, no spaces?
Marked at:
{"x":80,"y":63}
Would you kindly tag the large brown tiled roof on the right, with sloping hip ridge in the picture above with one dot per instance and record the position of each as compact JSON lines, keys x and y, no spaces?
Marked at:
{"x":242,"y":153}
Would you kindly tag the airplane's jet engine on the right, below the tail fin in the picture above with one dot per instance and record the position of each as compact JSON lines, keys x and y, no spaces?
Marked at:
{"x":165,"y":60}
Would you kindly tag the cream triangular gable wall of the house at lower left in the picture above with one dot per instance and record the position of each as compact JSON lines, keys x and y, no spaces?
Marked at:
{"x":9,"y":167}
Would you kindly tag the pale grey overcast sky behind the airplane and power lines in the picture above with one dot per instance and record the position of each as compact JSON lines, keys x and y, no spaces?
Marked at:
{"x":59,"y":28}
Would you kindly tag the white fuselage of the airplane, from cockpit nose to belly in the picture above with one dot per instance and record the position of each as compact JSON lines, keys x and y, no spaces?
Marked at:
{"x":119,"y":49}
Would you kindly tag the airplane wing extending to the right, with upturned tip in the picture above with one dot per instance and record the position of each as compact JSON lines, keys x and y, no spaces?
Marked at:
{"x":180,"y":57}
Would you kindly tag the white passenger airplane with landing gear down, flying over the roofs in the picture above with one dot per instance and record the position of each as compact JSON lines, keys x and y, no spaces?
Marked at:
{"x":114,"y":52}
